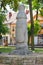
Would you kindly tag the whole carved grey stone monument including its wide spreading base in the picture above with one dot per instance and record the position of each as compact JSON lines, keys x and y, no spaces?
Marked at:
{"x":21,"y":33}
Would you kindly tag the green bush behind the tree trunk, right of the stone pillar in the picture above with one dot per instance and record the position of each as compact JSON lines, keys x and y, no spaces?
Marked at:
{"x":37,"y":28}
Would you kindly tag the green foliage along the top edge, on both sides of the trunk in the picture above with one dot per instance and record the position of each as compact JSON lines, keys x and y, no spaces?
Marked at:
{"x":14,"y":3}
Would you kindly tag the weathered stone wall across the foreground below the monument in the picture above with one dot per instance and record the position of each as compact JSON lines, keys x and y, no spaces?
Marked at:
{"x":32,"y":59}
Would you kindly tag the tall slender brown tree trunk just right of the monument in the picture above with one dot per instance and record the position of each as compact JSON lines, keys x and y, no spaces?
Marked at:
{"x":32,"y":24}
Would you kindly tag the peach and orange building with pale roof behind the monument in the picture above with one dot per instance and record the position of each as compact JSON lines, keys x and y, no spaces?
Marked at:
{"x":11,"y":23}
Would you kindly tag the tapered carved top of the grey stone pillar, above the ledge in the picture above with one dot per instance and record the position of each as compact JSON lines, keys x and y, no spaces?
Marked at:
{"x":21,"y":14}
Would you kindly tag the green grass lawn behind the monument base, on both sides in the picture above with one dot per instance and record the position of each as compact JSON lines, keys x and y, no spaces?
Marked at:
{"x":7,"y":49}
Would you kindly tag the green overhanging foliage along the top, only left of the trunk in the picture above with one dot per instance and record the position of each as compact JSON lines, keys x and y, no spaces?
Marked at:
{"x":12,"y":3}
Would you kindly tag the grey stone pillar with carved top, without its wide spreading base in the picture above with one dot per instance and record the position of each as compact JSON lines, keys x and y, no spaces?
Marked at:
{"x":21,"y":28}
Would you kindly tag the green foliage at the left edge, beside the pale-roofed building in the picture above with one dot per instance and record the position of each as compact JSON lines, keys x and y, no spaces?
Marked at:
{"x":3,"y":28}
